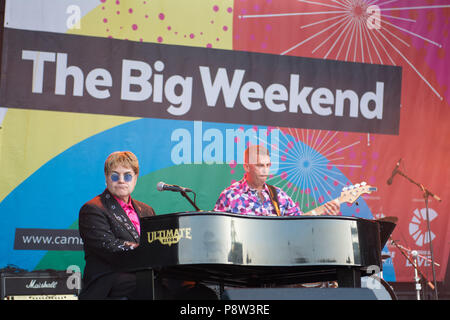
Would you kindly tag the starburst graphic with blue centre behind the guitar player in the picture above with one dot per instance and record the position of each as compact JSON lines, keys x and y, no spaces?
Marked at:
{"x":309,"y":167}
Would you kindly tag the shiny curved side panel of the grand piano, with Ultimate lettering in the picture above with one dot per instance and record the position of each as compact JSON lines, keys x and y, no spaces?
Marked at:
{"x":218,"y":237}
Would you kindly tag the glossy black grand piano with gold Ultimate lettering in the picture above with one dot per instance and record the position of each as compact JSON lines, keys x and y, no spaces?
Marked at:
{"x":251,"y":251}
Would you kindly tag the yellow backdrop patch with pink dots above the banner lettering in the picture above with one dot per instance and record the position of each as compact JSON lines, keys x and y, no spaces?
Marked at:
{"x":197,"y":23}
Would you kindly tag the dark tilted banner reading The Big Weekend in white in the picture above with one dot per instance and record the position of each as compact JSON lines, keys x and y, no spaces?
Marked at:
{"x":47,"y":71}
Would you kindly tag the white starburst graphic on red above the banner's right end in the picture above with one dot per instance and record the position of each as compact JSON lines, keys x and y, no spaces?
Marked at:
{"x":368,"y":31}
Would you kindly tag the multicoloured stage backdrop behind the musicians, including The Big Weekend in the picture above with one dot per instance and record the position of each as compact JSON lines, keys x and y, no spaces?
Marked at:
{"x":55,"y":134}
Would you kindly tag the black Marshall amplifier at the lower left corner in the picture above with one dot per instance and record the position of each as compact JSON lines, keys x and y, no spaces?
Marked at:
{"x":36,"y":285}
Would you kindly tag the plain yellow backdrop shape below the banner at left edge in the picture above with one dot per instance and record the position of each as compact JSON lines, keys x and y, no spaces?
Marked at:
{"x":30,"y":138}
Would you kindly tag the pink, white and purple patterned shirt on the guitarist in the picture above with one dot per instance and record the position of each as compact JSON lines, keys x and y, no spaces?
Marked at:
{"x":240,"y":198}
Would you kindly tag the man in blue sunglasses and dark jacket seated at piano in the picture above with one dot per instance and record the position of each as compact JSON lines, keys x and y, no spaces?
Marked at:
{"x":109,"y":225}
